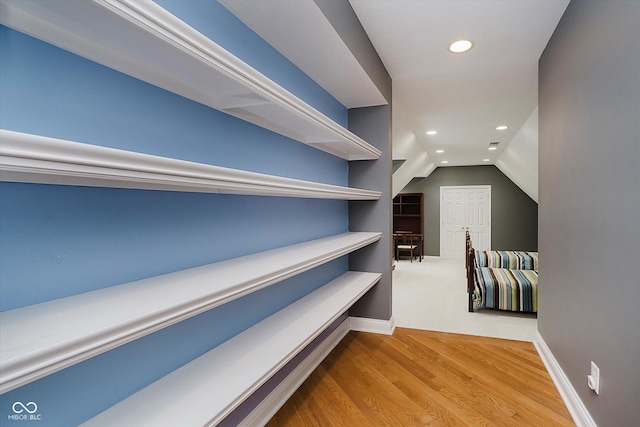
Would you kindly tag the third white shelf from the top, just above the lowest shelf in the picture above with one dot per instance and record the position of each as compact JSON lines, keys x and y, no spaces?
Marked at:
{"x":40,"y":339}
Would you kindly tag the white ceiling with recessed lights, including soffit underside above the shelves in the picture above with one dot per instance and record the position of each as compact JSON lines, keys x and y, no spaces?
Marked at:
{"x":462,"y":96}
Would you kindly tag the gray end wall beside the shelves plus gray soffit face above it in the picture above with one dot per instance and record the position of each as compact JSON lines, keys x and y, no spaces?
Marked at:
{"x":373,"y":124}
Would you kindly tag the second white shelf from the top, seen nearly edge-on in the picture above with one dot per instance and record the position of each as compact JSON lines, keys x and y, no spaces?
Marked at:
{"x":38,"y":159}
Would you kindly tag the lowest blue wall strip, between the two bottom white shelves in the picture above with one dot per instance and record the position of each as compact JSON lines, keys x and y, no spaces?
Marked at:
{"x":80,"y":392}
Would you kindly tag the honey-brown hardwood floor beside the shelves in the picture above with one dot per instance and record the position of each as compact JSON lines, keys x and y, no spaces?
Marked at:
{"x":416,"y":378}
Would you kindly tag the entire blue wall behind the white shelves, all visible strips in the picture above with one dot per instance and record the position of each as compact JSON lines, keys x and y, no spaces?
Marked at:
{"x":58,"y":241}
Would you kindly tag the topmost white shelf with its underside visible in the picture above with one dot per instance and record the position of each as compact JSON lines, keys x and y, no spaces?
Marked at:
{"x":142,"y":39}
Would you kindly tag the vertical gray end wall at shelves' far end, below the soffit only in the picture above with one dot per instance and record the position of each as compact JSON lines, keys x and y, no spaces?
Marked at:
{"x":373,"y":124}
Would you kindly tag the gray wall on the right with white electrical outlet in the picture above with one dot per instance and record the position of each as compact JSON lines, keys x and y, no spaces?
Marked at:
{"x":589,"y":160}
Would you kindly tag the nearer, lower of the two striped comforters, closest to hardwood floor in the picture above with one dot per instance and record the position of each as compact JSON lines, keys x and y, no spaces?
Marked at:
{"x":506,"y":289}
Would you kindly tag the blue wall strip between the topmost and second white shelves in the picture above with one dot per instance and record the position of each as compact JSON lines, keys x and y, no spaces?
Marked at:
{"x":51,"y":92}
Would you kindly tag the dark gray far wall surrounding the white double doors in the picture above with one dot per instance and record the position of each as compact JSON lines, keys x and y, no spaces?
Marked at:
{"x":514,"y":215}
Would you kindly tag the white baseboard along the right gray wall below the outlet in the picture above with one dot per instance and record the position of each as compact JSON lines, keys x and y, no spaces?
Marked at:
{"x":576,"y":408}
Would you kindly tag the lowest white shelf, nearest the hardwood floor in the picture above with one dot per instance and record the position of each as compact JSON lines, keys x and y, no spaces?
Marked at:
{"x":207,"y":389}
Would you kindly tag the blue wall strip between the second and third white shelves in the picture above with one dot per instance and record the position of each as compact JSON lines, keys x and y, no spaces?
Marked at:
{"x":60,"y":240}
